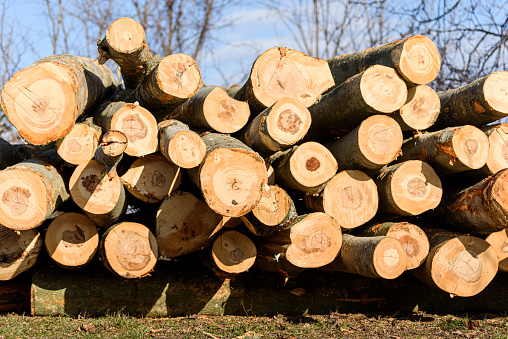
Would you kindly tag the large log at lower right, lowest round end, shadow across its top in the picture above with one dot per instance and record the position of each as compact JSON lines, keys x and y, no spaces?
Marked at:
{"x":461,"y":265}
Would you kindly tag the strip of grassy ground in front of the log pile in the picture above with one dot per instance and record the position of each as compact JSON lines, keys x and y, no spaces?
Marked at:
{"x":333,"y":325}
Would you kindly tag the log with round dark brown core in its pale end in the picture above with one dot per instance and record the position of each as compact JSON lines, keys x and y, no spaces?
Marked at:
{"x":306,"y":167}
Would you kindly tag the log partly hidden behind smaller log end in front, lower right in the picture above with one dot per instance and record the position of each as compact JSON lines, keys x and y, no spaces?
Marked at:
{"x":413,"y":239}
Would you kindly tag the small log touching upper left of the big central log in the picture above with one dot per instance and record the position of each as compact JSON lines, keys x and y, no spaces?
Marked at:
{"x":179,"y":145}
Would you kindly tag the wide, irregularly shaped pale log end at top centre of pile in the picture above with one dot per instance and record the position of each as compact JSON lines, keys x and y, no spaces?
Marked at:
{"x":285,"y":73}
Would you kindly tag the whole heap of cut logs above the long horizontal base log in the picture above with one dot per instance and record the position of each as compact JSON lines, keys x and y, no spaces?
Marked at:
{"x":306,"y":161}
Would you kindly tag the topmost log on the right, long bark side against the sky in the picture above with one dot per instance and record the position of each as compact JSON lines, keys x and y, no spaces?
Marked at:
{"x":415,"y":58}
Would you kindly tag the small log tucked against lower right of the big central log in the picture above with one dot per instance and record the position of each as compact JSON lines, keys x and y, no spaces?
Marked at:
{"x":275,"y":211}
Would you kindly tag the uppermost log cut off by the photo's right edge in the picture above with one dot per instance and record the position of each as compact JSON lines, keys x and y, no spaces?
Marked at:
{"x":481,"y":102}
